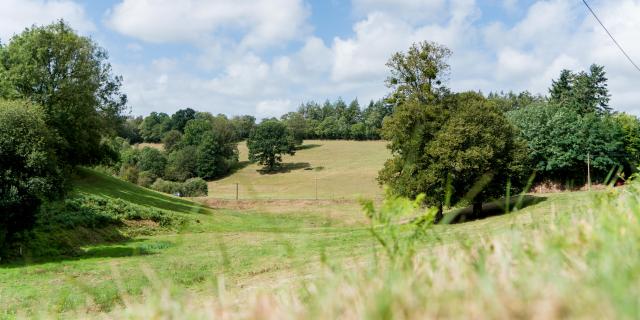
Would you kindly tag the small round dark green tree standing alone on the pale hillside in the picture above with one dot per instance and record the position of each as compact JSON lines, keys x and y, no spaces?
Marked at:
{"x":268,"y":142}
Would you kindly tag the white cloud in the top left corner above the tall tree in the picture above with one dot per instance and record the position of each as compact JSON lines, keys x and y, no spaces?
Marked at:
{"x":16,"y":15}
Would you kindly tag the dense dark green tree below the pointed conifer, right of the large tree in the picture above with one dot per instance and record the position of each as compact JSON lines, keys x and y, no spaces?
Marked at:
{"x":559,"y":140}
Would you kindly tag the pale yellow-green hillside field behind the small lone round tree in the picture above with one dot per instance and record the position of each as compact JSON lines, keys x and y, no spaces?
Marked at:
{"x":342,"y":170}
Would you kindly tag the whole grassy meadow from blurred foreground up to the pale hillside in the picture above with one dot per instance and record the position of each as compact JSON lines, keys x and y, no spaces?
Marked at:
{"x":261,"y":258}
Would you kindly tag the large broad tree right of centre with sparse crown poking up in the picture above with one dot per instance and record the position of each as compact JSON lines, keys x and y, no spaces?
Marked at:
{"x":443,"y":144}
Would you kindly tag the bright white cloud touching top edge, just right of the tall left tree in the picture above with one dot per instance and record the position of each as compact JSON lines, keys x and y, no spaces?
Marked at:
{"x":262,"y":23}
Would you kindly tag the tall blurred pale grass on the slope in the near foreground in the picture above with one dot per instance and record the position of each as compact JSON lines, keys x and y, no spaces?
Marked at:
{"x":579,"y":263}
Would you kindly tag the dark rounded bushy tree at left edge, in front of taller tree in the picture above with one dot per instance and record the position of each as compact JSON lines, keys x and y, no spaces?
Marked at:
{"x":29,"y":172}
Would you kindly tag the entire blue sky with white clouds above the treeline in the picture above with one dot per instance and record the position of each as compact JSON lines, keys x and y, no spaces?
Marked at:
{"x":265,"y":58}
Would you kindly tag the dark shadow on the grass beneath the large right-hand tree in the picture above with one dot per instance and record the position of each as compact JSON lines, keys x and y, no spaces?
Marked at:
{"x":494,"y":208}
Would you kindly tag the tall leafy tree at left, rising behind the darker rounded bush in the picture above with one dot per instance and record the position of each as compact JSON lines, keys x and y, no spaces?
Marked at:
{"x":70,"y":77}
